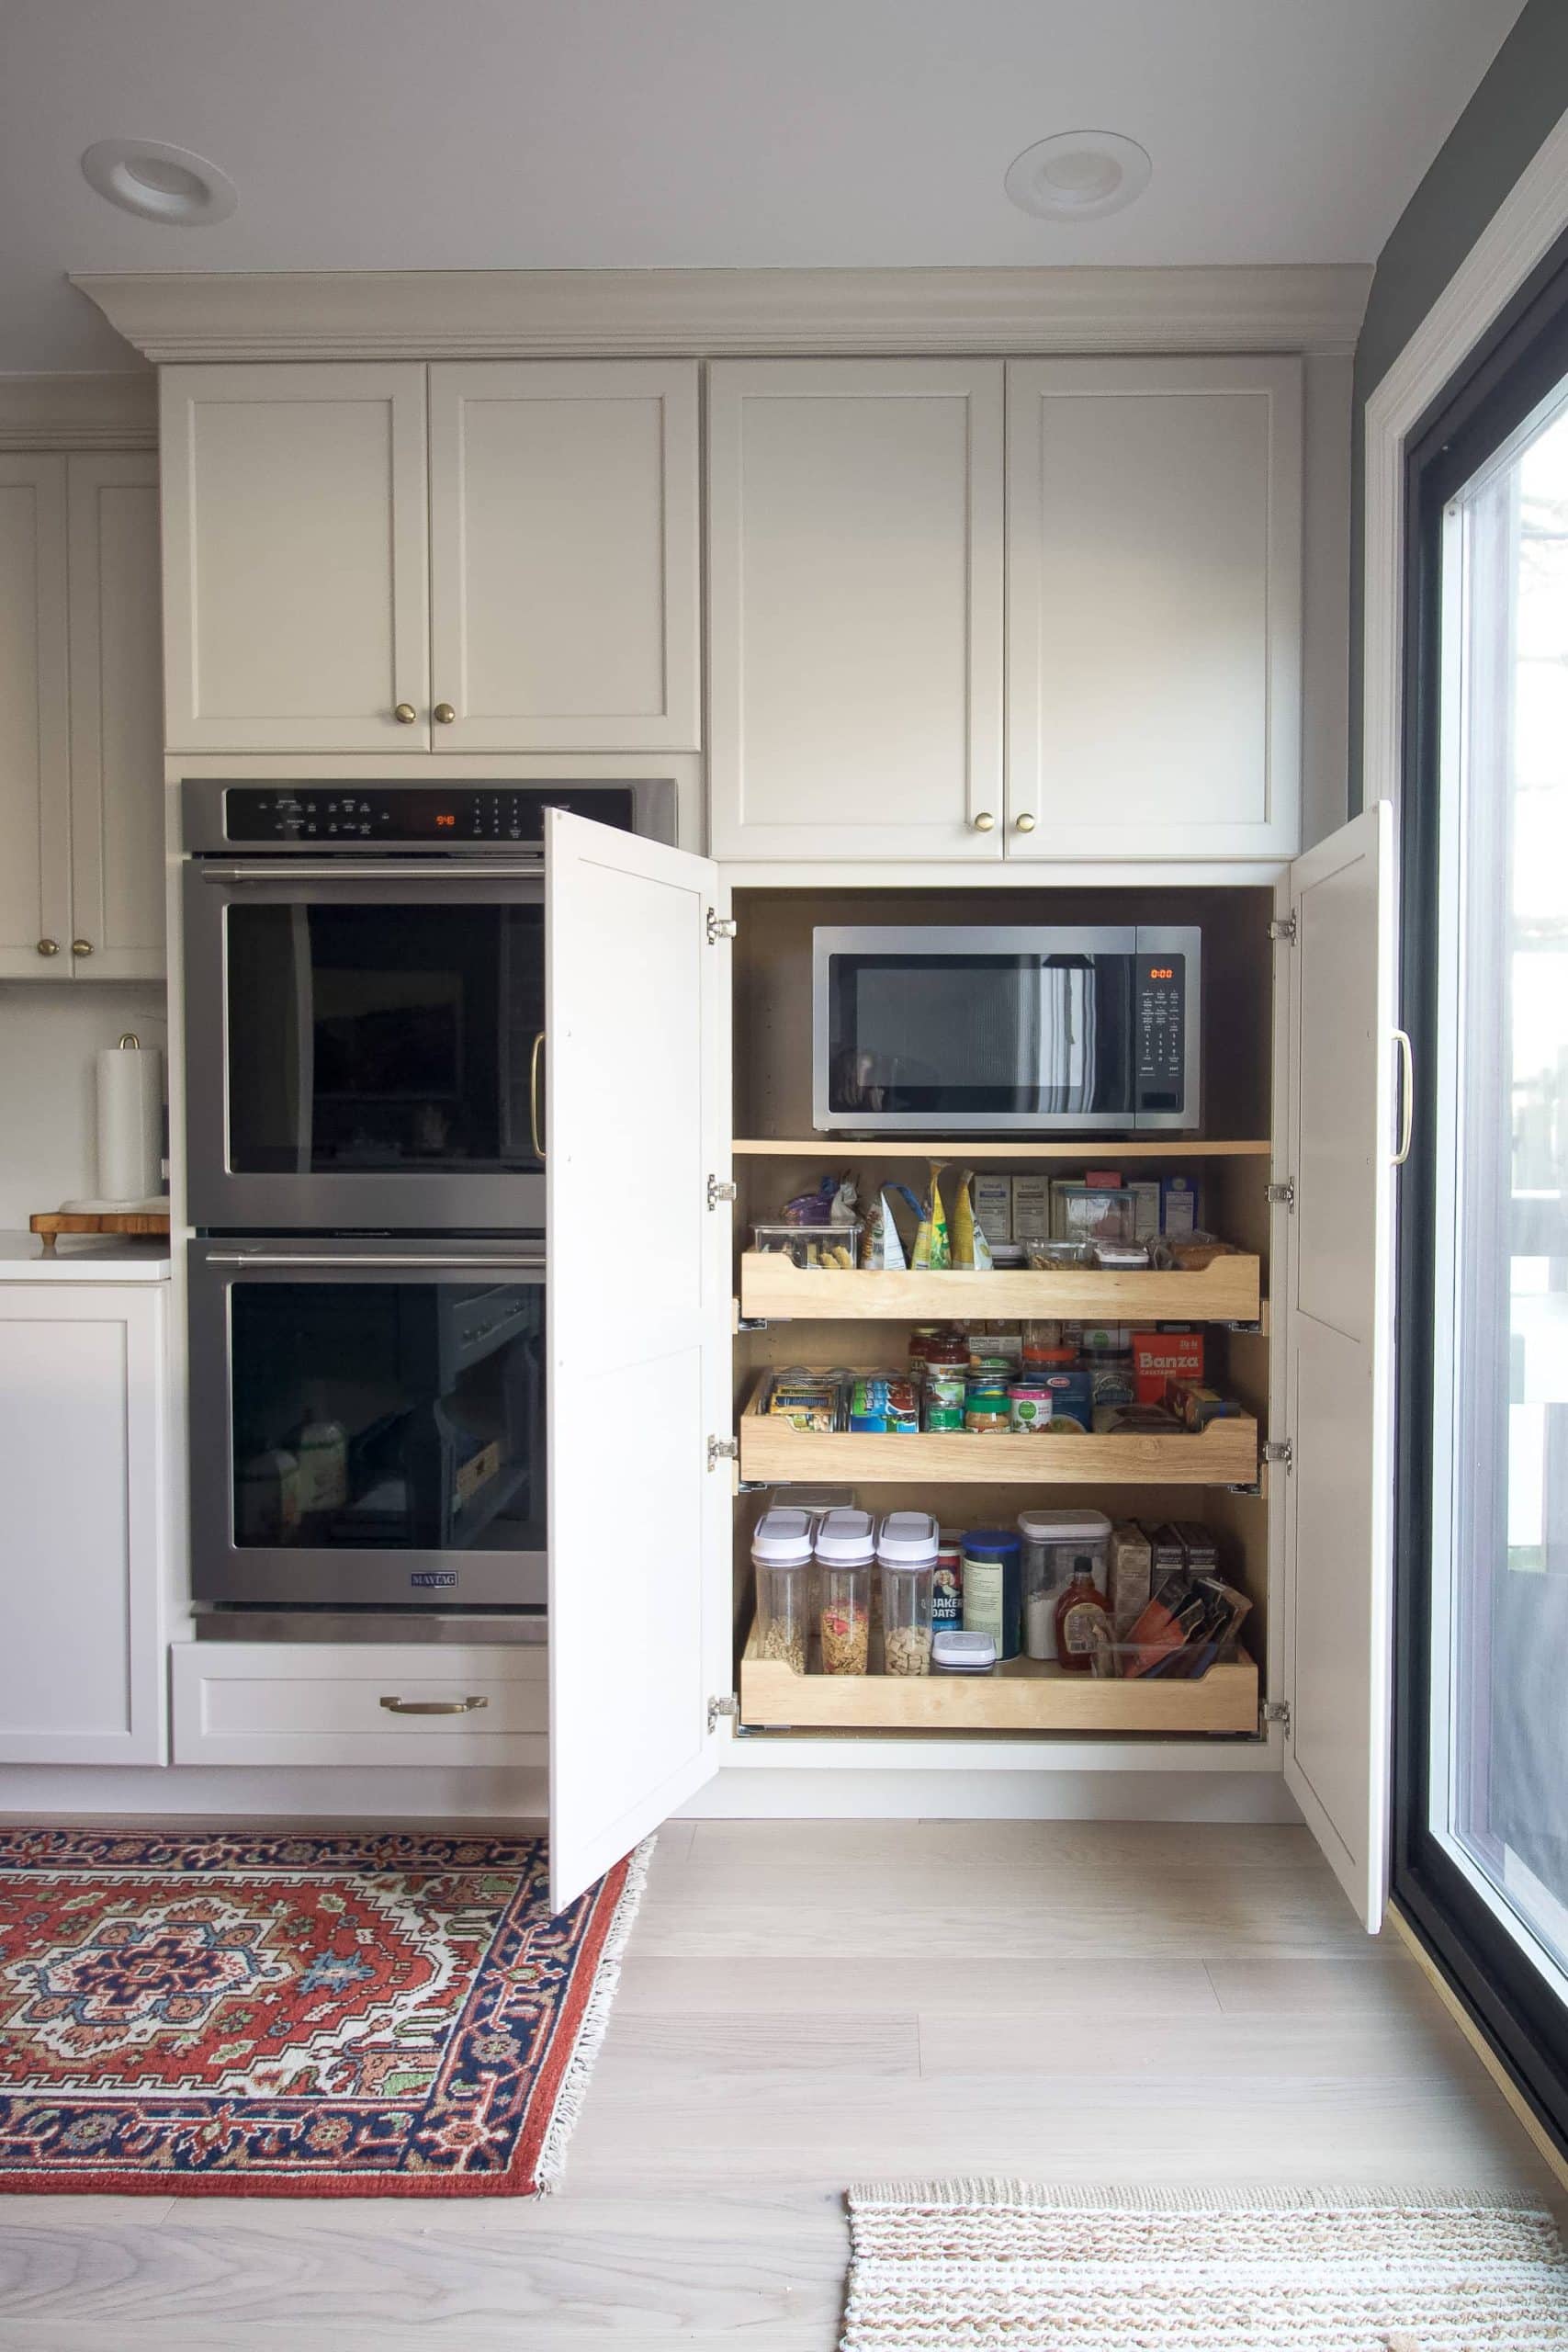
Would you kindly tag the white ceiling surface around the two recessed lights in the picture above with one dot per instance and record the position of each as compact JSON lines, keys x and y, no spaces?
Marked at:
{"x":706,"y":133}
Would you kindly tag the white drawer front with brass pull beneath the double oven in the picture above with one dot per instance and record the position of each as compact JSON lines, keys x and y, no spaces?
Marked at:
{"x":340,"y":1704}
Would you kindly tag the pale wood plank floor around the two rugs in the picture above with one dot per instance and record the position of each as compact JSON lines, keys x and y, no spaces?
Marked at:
{"x":810,"y":2005}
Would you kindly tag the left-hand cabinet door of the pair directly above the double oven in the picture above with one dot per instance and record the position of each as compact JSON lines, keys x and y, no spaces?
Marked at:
{"x":295,"y":559}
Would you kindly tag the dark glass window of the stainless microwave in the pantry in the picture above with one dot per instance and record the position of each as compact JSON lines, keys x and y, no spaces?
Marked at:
{"x":991,"y":1036}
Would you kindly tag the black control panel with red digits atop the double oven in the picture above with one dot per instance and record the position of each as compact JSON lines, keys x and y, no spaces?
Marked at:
{"x":457,"y":817}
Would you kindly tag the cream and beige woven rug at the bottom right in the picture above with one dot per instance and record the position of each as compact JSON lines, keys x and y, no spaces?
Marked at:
{"x":998,"y":2266}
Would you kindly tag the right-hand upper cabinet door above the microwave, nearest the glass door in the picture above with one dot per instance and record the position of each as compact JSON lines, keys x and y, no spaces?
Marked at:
{"x":1155,"y":608}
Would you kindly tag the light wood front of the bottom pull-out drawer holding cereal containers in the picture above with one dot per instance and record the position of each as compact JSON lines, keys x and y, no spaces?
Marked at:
{"x":1019,"y":1697}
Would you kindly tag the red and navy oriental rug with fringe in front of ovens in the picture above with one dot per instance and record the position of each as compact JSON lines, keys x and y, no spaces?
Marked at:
{"x":297,"y":2017}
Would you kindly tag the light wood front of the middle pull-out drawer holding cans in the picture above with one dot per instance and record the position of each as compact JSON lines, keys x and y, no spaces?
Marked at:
{"x":1224,"y":1455}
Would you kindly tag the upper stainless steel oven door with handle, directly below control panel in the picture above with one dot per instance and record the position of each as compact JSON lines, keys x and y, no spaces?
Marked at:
{"x":366,"y":1053}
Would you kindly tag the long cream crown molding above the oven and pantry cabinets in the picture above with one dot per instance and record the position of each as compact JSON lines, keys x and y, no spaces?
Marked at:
{"x":634,"y":314}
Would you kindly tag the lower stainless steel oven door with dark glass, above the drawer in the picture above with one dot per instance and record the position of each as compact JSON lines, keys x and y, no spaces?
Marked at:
{"x":368,"y":1424}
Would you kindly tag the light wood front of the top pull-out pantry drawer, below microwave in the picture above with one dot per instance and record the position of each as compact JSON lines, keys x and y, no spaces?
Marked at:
{"x":1231,"y":1290}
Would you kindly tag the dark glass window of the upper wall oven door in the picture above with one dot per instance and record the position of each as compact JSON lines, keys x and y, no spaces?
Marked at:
{"x":382,"y":1038}
